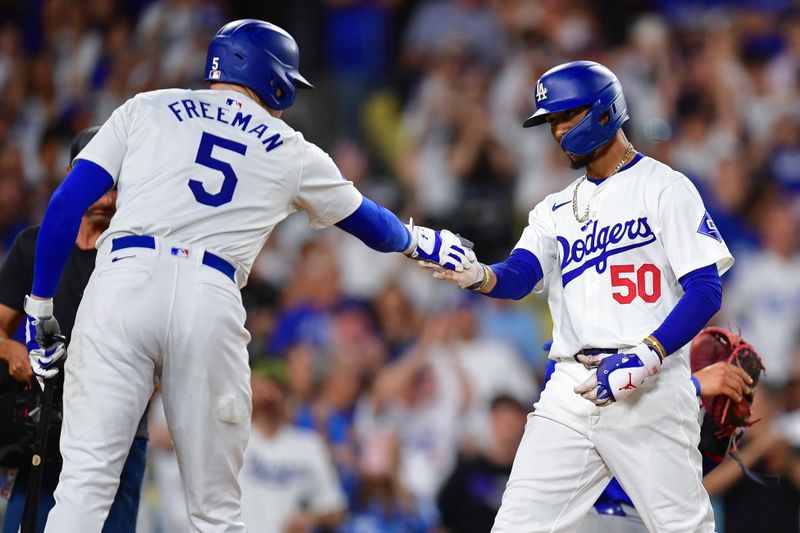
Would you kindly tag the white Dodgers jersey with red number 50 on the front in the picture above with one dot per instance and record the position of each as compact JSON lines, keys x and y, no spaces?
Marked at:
{"x":613,"y":279}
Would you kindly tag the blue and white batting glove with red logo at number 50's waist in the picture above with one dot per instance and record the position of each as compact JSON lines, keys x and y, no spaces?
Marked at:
{"x":620,"y":375}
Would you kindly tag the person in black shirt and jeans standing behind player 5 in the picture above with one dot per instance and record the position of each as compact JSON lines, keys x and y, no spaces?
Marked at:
{"x":16,"y":280}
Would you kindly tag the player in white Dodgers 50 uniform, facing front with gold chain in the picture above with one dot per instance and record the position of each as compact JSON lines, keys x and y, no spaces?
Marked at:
{"x":630,"y":261}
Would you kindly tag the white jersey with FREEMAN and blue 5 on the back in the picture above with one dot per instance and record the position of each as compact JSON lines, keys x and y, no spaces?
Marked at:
{"x":213,"y":168}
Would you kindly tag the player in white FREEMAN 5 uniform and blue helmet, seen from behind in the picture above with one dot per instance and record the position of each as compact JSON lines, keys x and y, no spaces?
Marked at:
{"x":203,"y":177}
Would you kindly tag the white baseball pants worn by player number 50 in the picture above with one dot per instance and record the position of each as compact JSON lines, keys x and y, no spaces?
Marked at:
{"x":571,"y":448}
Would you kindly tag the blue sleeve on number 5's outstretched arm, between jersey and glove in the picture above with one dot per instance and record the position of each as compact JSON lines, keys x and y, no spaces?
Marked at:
{"x":377,"y":227}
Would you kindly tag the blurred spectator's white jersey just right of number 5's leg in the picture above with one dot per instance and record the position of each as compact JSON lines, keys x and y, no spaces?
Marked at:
{"x":287,"y":473}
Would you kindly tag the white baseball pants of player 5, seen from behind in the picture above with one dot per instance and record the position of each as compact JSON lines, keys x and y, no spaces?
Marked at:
{"x":148,"y":313}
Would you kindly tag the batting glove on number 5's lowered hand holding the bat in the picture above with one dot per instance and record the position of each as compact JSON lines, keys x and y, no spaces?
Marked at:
{"x":43,"y":338}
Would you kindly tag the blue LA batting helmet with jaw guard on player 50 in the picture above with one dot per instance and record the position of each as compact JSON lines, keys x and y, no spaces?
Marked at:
{"x":578,"y":84}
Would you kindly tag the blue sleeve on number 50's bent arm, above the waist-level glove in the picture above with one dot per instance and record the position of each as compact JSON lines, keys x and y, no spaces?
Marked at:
{"x":702,"y":298}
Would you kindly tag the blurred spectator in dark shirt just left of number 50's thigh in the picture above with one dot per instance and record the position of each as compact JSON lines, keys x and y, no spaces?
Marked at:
{"x":470,"y":498}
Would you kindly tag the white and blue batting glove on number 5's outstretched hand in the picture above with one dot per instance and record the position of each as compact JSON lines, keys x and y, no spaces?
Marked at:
{"x":444,"y":248}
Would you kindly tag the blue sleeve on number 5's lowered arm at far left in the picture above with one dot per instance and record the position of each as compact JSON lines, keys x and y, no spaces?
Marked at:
{"x":83,"y":186}
